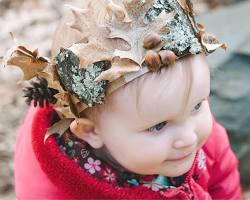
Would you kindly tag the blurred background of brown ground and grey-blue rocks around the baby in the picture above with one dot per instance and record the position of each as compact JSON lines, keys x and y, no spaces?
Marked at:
{"x":33,"y":23}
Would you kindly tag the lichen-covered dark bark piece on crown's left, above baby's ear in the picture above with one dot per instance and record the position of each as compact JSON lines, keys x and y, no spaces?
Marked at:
{"x":81,"y":81}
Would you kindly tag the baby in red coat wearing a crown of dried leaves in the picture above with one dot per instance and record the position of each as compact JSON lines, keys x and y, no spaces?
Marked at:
{"x":124,"y":111}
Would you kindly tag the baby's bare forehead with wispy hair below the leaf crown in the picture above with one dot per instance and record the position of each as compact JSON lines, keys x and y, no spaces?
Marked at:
{"x":166,"y":92}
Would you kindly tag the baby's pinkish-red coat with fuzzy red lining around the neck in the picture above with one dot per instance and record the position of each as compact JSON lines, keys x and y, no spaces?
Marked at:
{"x":42,"y":171}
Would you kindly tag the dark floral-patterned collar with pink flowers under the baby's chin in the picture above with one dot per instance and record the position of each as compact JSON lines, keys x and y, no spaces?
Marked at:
{"x":81,"y":153}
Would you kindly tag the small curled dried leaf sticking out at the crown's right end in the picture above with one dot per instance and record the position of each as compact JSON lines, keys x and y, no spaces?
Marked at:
{"x":211,"y":43}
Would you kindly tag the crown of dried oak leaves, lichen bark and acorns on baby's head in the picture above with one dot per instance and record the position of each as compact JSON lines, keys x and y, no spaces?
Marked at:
{"x":120,"y":41}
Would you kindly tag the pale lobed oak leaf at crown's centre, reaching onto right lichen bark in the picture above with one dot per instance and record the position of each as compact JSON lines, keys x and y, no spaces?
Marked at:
{"x":134,"y":35}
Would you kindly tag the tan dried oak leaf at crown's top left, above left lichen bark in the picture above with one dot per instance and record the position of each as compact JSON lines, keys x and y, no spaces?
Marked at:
{"x":96,"y":46}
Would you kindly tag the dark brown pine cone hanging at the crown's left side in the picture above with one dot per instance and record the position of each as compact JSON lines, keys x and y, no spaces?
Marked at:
{"x":39,"y":92}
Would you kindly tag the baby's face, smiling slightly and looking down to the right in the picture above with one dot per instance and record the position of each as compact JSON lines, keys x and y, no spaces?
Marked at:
{"x":161,"y":131}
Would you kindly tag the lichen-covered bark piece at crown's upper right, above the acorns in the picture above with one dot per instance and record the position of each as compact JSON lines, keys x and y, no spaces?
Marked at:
{"x":181,"y":39}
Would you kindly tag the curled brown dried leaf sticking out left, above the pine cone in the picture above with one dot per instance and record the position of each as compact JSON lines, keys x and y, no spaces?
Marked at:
{"x":28,"y":61}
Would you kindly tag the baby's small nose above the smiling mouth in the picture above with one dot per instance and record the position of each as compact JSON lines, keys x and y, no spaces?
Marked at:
{"x":185,"y":140}
